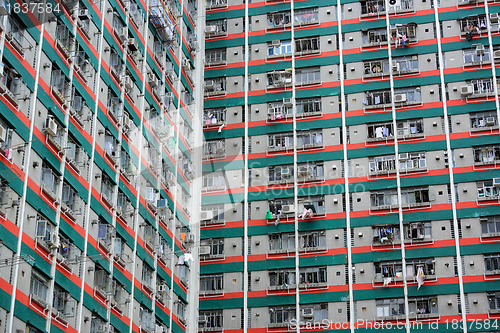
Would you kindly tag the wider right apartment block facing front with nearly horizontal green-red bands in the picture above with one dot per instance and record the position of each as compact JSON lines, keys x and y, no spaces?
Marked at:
{"x":350,"y":165}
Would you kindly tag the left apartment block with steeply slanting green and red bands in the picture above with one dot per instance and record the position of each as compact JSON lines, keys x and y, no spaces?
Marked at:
{"x":98,"y":125}
